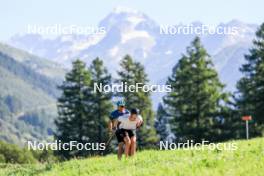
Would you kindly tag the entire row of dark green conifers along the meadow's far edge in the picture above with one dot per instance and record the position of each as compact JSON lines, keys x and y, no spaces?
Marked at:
{"x":198,"y":108}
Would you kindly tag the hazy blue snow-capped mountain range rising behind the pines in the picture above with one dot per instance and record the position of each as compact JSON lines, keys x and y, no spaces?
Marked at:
{"x":132,"y":32}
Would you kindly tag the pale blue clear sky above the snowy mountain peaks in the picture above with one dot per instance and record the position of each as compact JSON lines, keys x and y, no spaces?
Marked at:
{"x":15,"y":15}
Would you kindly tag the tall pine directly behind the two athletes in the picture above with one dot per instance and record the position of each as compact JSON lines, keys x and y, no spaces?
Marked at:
{"x":133,"y":73}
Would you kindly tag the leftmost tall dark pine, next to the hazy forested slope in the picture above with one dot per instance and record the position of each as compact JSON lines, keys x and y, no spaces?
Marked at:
{"x":73,"y":109}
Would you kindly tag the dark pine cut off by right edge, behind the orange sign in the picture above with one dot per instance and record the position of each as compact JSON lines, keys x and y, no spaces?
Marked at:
{"x":250,"y":98}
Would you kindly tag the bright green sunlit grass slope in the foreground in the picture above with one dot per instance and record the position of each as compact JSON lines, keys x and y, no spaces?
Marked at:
{"x":248,"y":159}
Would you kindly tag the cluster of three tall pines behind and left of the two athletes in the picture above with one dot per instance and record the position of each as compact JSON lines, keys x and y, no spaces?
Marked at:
{"x":84,"y":113}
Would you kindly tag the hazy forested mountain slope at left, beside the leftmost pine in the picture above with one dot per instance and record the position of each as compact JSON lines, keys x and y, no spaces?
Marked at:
{"x":27,"y":95}
